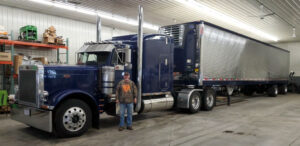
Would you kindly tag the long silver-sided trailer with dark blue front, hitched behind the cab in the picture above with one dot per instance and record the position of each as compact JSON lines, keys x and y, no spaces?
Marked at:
{"x":209,"y":58}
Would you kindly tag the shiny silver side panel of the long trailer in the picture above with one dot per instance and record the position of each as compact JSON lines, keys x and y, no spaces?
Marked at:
{"x":229,"y":56}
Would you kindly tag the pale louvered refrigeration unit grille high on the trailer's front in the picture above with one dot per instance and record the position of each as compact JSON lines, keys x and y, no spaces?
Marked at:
{"x":175,"y":31}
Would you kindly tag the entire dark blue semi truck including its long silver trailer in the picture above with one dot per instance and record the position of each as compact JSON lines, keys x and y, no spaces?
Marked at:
{"x":183,"y":67}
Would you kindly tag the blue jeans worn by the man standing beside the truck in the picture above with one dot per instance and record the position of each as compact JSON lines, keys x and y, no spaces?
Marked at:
{"x":123,"y":107}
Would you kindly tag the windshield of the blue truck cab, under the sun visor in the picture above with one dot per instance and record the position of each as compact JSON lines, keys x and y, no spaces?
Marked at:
{"x":93,"y":58}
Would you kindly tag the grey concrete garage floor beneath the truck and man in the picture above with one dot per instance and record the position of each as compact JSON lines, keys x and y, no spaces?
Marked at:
{"x":259,"y":121}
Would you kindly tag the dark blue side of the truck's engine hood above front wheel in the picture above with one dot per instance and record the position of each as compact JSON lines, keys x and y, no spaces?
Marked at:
{"x":60,"y":78}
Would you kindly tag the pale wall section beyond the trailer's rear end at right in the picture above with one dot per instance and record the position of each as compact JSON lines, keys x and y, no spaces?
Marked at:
{"x":294,"y":48}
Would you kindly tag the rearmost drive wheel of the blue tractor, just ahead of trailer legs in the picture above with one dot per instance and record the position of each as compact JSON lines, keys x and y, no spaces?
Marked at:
{"x":208,"y":99}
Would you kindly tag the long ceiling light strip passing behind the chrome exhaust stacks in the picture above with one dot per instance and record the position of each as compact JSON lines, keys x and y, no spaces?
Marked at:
{"x":102,"y":14}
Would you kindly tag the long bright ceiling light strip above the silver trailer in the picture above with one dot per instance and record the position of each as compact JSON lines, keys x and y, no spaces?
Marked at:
{"x":227,"y":19}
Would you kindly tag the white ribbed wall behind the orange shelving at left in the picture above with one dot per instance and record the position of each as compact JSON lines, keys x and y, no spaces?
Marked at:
{"x":78,"y":32}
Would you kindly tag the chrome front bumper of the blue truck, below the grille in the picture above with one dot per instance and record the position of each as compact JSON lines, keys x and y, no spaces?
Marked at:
{"x":38,"y":118}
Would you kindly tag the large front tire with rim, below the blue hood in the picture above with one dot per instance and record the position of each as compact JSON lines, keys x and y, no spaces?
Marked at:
{"x":72,"y":118}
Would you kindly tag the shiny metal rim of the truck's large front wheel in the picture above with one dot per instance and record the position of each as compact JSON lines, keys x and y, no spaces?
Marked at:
{"x":74,"y":119}
